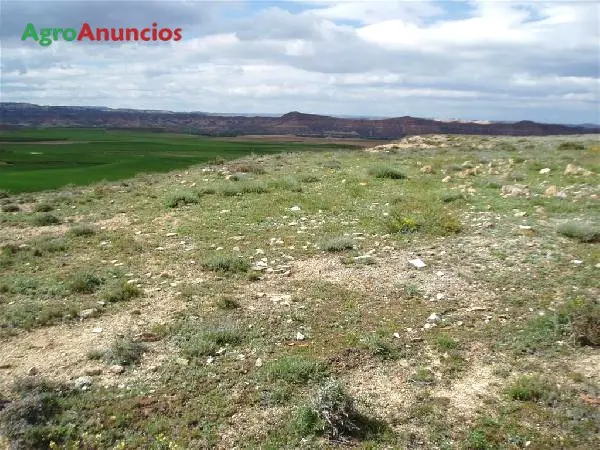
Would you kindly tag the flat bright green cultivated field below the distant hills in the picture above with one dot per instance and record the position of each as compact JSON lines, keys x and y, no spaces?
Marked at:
{"x":35,"y":160}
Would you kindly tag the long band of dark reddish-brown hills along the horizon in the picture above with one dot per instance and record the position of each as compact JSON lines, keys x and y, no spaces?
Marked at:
{"x":294,"y":123}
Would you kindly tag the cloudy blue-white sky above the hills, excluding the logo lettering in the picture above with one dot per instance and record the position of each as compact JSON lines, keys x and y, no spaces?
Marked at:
{"x":498,"y":60}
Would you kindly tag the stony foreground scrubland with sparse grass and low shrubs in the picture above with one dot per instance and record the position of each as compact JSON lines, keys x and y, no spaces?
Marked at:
{"x":270,"y":302}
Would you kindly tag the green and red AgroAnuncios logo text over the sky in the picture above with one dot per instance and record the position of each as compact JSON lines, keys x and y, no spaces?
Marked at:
{"x":46,"y":36}
